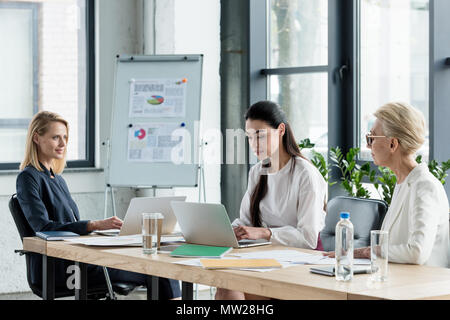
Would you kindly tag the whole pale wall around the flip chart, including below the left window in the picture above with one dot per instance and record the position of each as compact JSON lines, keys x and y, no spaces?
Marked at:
{"x":182,"y":27}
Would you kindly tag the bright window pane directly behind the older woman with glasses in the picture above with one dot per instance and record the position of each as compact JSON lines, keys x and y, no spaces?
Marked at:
{"x":394,"y":59}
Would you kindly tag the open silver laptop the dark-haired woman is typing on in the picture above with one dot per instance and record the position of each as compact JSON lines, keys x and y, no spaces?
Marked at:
{"x":208,"y":224}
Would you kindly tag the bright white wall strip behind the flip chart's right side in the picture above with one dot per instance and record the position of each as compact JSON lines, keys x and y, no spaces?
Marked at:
{"x":201,"y":35}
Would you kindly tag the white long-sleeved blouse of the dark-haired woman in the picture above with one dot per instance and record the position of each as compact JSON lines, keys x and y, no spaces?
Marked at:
{"x":293,"y":207}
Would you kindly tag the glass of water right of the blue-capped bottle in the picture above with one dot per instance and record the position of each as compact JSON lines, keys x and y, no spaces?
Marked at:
{"x":379,"y":244}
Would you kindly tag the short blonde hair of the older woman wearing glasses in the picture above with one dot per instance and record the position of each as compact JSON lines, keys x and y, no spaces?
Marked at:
{"x":404,"y":122}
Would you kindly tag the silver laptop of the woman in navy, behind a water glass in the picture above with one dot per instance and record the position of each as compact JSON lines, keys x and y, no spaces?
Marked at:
{"x":132,"y":223}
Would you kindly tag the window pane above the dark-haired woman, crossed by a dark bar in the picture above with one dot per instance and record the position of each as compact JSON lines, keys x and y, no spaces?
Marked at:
{"x":297,"y":71}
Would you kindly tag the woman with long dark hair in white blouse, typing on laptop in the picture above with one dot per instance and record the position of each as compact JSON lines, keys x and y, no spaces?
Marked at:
{"x":286,"y":195}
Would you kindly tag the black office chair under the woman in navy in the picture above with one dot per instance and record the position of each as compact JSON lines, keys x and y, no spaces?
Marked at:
{"x":94,"y":292}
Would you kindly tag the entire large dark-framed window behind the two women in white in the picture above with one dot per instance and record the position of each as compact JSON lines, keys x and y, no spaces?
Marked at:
{"x":331,"y":64}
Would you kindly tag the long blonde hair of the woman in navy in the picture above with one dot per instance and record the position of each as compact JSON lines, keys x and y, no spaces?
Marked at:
{"x":40,"y":124}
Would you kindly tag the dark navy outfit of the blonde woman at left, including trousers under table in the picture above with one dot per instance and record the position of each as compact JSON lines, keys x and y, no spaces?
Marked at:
{"x":47,"y":205}
